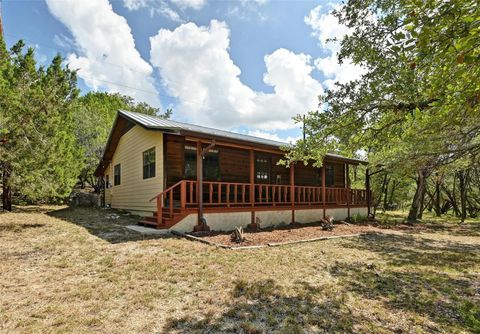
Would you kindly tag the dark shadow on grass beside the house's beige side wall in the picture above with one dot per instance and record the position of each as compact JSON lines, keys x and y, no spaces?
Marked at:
{"x":107,"y":224}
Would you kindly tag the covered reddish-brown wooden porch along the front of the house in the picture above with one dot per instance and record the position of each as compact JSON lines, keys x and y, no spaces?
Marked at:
{"x":211,"y":176}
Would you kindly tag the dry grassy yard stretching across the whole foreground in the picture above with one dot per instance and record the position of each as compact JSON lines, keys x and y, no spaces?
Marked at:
{"x":80,"y":270}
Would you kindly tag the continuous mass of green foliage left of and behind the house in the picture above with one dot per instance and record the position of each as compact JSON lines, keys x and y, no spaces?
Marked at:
{"x":50,"y":137}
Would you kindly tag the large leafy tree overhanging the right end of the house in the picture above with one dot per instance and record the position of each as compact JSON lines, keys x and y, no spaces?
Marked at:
{"x":402,"y":113}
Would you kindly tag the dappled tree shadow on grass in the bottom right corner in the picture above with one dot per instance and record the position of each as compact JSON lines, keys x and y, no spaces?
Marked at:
{"x":439,"y":297}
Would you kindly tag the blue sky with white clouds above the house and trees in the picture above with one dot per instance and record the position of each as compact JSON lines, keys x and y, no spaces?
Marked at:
{"x":244,"y":66}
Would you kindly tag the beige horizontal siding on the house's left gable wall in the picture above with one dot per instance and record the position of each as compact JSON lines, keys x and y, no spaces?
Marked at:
{"x":134,"y":192}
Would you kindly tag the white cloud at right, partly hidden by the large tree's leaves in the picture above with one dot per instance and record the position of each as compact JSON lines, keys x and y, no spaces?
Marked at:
{"x":326,"y":26}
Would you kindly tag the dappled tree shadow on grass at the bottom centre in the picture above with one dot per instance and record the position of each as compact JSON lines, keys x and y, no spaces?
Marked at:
{"x":263,"y":307}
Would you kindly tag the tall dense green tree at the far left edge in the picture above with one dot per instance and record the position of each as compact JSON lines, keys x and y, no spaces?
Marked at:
{"x":40,"y":158}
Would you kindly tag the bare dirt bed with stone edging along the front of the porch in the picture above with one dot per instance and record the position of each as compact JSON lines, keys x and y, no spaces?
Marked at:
{"x":286,"y":234}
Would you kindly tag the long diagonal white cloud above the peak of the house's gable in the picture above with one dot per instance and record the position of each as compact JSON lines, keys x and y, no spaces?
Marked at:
{"x":107,"y":57}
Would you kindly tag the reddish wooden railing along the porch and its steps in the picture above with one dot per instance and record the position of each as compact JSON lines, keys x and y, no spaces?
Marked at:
{"x":230,"y":194}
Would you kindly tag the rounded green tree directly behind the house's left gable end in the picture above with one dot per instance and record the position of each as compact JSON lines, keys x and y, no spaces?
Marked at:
{"x":94,"y":116}
